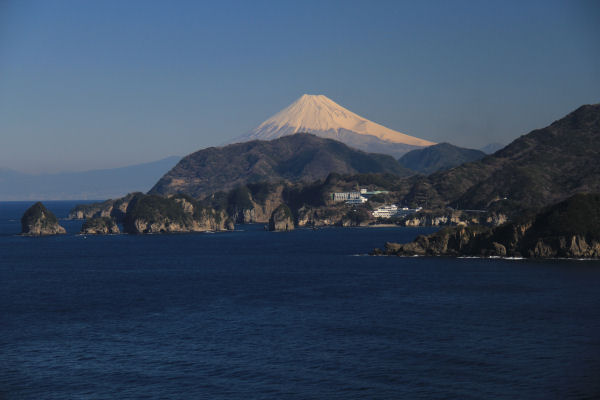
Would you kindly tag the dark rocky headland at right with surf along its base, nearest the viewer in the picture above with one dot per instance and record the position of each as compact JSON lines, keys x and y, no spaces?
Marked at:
{"x":568,"y":229}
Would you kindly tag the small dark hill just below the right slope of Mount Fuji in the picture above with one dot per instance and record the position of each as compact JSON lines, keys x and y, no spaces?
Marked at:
{"x":438,"y":157}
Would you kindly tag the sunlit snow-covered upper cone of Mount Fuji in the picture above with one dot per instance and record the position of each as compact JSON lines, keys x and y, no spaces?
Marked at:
{"x":319,"y":114}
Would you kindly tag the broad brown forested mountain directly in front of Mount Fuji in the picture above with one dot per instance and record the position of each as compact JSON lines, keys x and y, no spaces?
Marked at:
{"x":299,"y":157}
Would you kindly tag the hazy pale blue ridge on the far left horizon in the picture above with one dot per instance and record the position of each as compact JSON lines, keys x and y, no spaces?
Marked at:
{"x":86,"y":185}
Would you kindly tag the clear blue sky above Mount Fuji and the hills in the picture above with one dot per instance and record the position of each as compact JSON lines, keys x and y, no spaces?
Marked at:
{"x":95,"y":84}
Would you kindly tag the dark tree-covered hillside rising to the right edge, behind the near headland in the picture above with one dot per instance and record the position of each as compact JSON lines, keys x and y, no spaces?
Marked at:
{"x":540,"y":168}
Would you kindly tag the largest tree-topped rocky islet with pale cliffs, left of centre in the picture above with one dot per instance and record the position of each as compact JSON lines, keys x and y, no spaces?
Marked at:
{"x":176,"y":214}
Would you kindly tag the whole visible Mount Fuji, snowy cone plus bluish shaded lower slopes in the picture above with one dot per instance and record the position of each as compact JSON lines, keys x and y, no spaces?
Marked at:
{"x":323,"y":117}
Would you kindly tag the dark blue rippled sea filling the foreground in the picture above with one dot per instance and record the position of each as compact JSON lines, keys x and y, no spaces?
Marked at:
{"x":301,"y":315}
